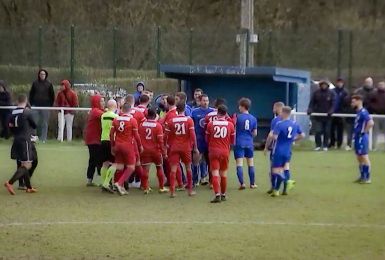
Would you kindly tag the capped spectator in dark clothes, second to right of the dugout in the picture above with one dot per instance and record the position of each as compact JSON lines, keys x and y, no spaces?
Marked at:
{"x":337,"y":127}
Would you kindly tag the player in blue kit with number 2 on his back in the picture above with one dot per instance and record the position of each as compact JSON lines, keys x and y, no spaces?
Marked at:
{"x":285,"y":133}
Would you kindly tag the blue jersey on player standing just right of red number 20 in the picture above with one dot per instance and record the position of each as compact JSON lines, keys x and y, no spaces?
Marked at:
{"x":245,"y":126}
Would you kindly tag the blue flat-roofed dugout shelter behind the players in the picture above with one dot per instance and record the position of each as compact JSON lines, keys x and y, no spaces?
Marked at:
{"x":263,"y":85}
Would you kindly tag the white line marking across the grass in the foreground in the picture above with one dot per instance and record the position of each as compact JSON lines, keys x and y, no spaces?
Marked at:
{"x":258,"y":223}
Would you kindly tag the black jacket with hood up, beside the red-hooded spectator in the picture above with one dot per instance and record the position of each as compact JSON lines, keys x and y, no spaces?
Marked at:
{"x":42,"y":93}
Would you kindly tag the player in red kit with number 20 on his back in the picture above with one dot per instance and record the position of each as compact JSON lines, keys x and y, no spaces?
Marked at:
{"x":220,"y":135}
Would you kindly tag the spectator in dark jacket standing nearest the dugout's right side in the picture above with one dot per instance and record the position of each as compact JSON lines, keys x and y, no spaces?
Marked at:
{"x":322,"y":101}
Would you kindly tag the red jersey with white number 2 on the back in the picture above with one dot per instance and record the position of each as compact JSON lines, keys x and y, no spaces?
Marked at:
{"x":151,"y":135}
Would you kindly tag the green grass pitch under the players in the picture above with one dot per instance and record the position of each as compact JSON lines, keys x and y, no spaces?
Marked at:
{"x":325,"y":214}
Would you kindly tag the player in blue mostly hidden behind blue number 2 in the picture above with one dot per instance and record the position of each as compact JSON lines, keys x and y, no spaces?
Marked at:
{"x":277,"y":111}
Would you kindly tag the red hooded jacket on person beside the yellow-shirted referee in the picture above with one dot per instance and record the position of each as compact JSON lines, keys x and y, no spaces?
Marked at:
{"x":93,"y":130}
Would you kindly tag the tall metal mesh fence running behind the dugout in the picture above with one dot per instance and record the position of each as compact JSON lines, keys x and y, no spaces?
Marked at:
{"x":90,"y":54}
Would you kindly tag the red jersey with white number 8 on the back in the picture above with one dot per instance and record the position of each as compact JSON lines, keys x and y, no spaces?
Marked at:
{"x":124,"y":130}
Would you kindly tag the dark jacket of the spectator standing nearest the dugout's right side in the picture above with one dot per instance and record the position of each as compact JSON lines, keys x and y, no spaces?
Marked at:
{"x":322,"y":101}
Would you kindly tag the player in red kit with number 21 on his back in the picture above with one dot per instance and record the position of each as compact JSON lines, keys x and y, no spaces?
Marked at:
{"x":180,"y":137}
